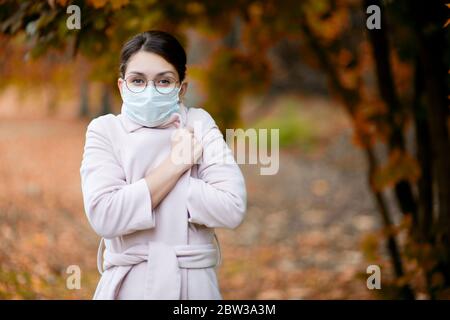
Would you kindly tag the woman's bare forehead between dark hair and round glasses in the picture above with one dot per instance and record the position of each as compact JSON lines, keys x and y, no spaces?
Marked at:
{"x":150,"y":64}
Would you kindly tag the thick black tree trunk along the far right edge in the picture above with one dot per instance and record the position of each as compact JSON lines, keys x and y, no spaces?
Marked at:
{"x":432,"y":42}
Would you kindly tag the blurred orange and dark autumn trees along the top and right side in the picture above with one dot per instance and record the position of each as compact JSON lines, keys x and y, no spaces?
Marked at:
{"x":392,"y":83}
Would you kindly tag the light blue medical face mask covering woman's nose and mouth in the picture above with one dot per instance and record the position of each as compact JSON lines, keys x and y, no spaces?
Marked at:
{"x":149,"y":107}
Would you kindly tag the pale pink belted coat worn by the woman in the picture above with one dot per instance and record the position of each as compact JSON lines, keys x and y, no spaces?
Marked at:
{"x":167,"y":252}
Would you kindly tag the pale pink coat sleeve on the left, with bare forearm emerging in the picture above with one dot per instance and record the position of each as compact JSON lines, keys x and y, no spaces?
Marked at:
{"x":113,"y":206}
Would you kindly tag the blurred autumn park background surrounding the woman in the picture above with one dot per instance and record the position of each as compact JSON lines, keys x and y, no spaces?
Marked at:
{"x":363,"y":116}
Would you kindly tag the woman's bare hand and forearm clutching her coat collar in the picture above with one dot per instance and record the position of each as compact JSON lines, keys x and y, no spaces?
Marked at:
{"x":185,"y":152}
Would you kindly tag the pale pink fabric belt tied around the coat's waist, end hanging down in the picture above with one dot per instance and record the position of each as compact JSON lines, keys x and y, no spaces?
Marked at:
{"x":163,"y":275}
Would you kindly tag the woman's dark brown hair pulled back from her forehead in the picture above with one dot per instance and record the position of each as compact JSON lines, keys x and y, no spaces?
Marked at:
{"x":158,"y":42}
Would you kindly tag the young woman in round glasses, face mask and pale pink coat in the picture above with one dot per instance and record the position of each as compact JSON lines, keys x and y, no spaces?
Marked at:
{"x":153,"y":187}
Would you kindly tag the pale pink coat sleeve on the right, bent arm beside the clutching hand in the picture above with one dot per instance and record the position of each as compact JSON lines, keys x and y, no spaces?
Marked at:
{"x":218,"y":197}
